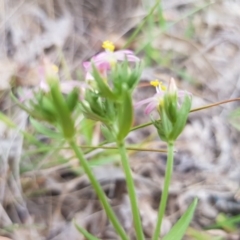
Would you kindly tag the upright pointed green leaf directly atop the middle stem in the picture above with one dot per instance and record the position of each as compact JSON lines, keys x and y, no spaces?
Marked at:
{"x":125,"y":116}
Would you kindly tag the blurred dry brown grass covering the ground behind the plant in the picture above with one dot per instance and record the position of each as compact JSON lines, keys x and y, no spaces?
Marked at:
{"x":201,"y":51}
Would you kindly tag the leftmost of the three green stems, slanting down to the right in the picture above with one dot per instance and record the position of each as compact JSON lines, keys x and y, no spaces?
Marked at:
{"x":100,"y":193}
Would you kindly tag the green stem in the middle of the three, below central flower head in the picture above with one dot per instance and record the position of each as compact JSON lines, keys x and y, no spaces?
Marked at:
{"x":131,"y":191}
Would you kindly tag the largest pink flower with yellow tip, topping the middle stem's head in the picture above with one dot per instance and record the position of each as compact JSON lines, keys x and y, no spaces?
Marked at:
{"x":104,"y":61}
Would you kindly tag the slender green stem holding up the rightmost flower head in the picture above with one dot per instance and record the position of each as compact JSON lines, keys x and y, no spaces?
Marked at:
{"x":164,"y":197}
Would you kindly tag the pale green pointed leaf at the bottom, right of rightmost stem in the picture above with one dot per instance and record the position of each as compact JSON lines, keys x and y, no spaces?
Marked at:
{"x":179,"y":229}
